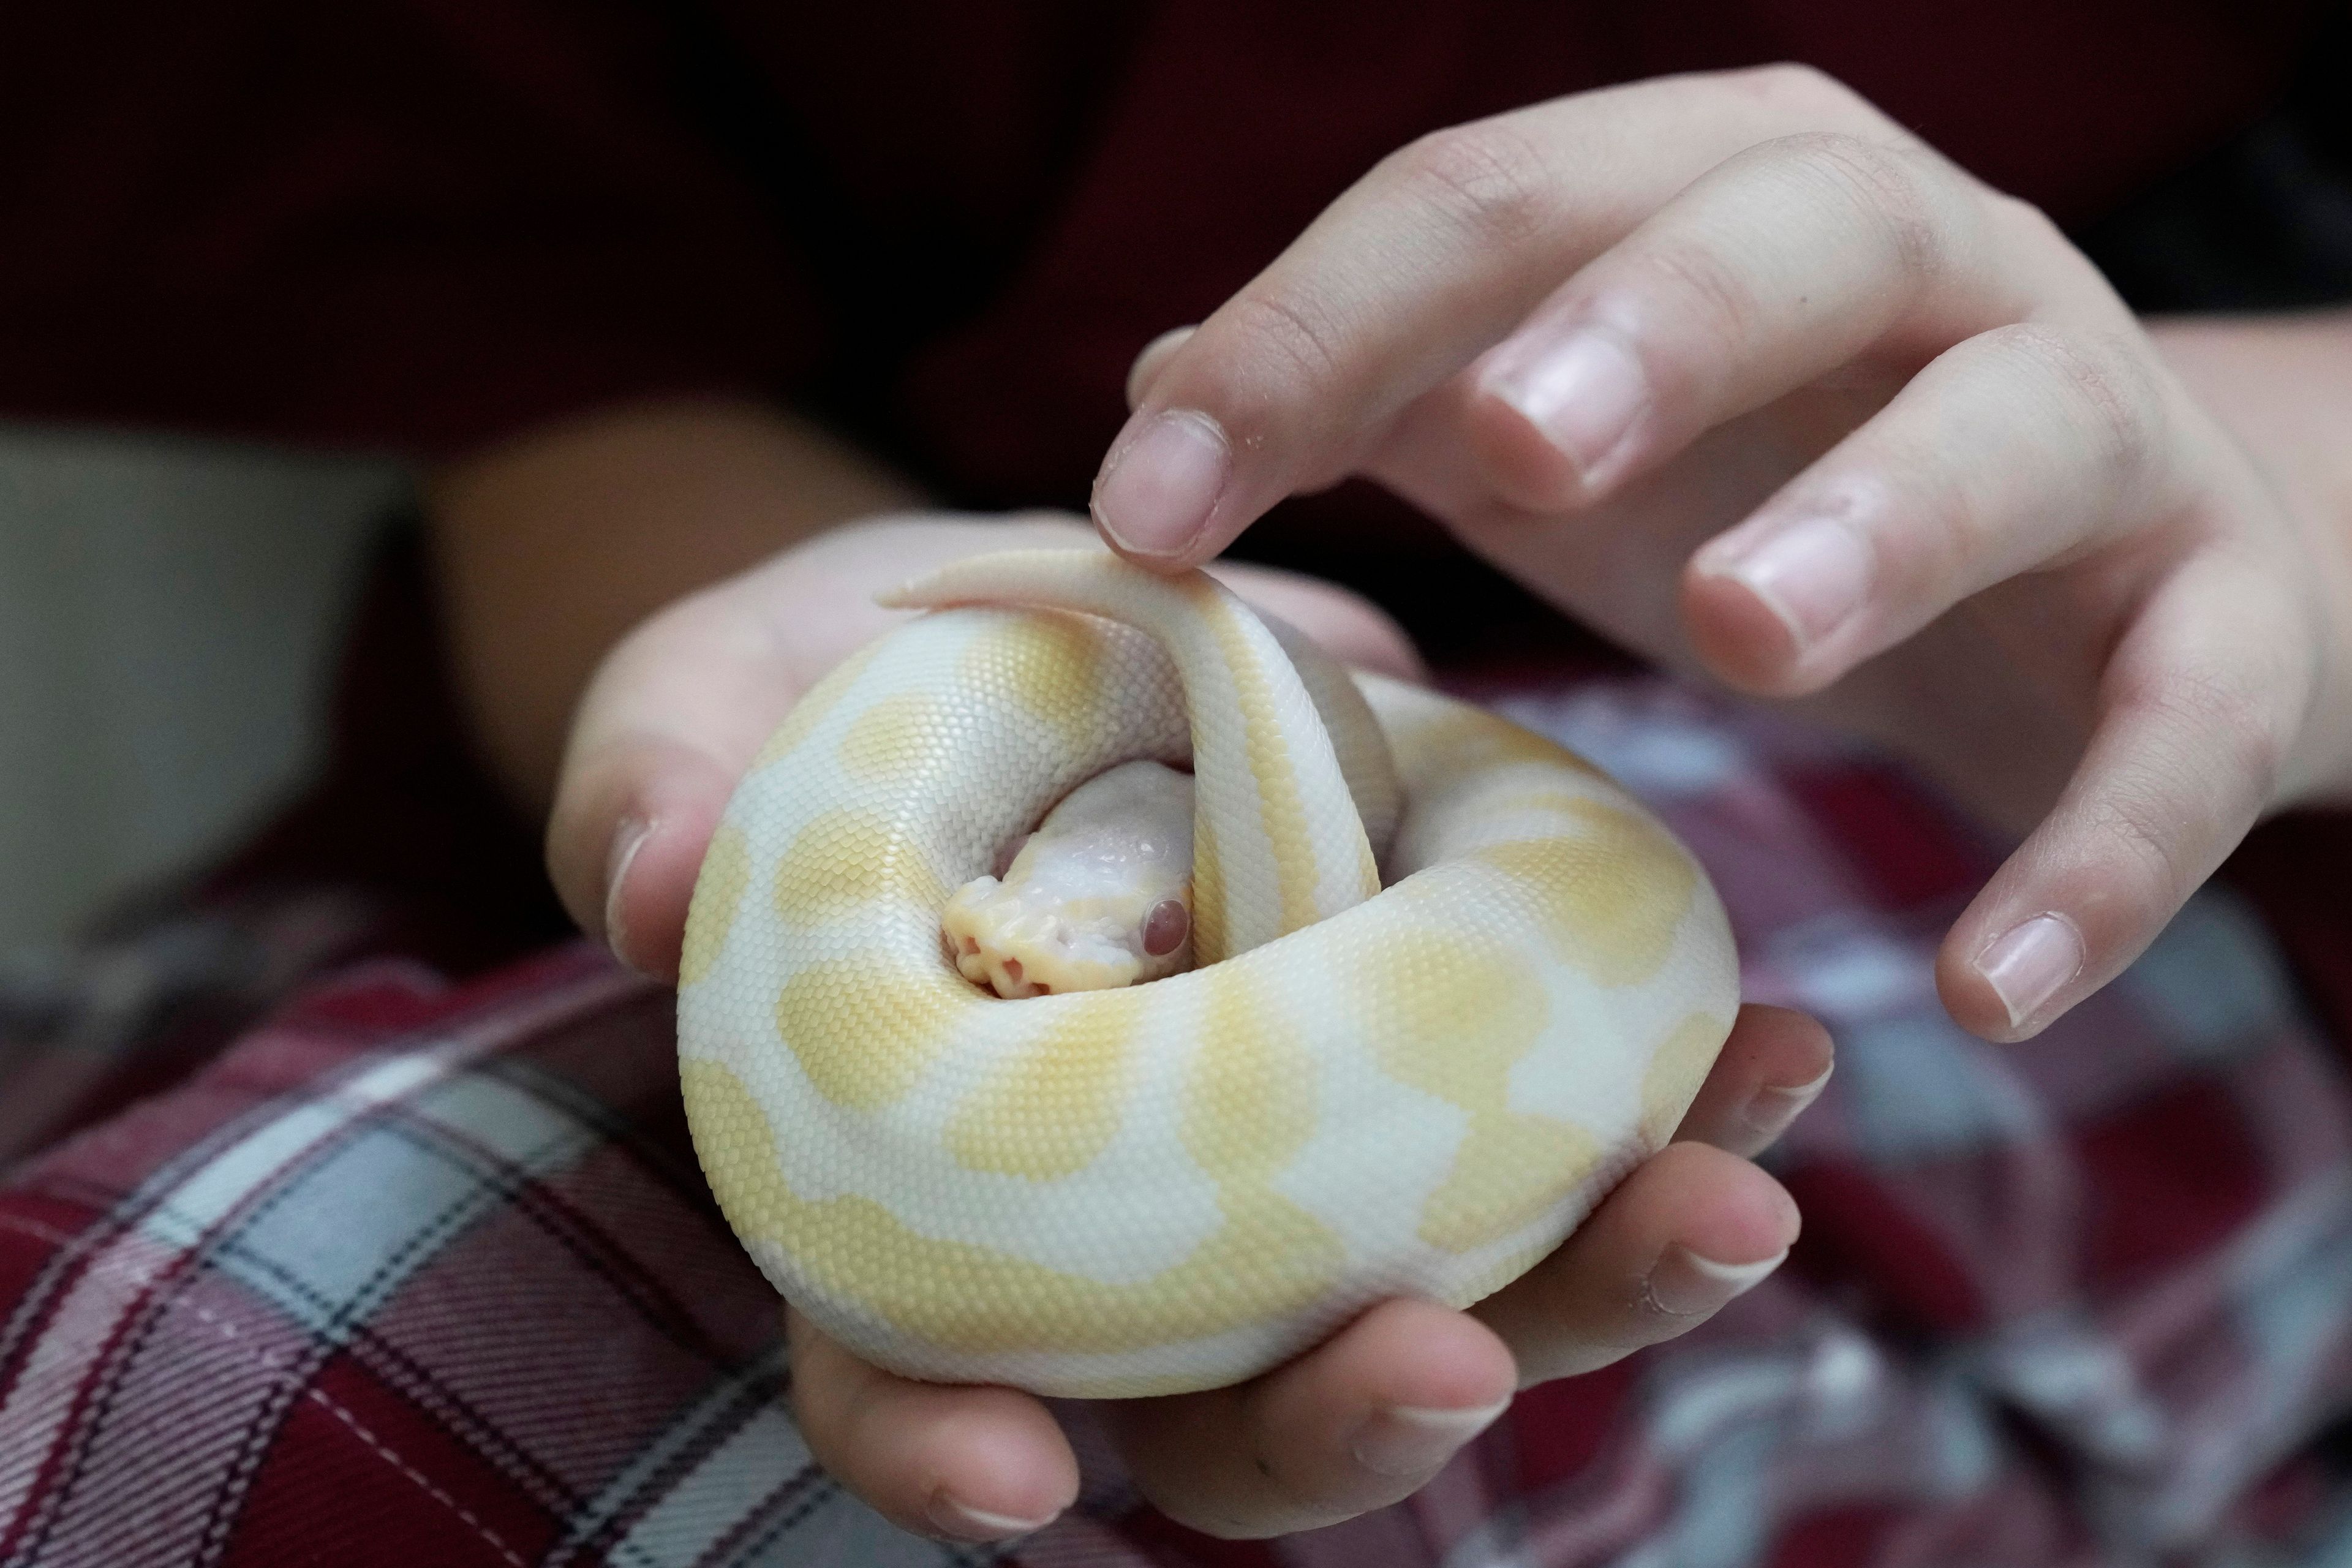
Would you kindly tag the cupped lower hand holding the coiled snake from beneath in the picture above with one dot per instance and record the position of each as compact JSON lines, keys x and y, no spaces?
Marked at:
{"x":669,"y":725}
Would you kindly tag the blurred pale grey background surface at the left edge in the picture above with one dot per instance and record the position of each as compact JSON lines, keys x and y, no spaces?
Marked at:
{"x":168,"y":624}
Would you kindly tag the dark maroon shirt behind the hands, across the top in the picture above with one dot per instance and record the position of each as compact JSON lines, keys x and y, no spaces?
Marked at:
{"x":422,"y":225}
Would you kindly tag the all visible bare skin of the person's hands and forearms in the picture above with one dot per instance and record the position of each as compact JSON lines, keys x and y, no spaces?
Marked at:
{"x":2097,"y":579}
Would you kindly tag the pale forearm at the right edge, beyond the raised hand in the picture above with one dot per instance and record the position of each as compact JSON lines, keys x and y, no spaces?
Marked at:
{"x":2283,"y":387}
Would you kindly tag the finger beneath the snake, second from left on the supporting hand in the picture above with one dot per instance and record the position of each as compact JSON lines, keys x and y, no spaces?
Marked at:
{"x":1354,"y":1426}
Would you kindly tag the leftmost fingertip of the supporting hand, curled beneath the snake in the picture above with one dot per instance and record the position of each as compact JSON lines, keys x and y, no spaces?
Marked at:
{"x":968,"y":1463}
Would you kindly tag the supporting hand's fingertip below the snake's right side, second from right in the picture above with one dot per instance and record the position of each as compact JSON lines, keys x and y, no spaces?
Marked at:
{"x":1681,"y":1238}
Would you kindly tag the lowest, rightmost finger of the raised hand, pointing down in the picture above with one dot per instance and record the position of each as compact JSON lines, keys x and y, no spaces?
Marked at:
{"x":2200,"y":711}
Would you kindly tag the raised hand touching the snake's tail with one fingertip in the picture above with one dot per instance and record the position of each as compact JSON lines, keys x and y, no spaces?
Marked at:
{"x":1749,"y":377}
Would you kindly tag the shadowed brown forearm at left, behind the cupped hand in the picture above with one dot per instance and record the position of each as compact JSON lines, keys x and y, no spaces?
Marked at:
{"x":552,"y":547}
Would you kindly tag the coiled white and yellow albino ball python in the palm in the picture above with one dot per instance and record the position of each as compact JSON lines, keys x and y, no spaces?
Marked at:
{"x":1356,"y":1092}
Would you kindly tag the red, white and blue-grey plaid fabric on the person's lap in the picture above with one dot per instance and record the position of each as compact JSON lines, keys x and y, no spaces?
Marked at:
{"x":425,"y":1273}
